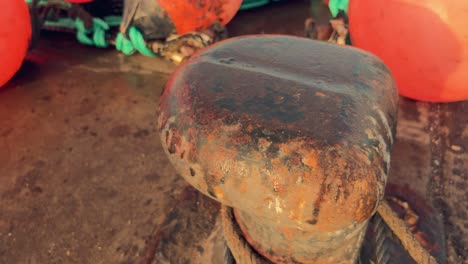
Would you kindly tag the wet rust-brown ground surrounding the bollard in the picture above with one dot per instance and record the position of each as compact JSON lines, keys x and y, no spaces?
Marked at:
{"x":83,"y":178}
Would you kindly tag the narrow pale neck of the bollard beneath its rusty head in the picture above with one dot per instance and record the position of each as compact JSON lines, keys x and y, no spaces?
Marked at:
{"x":281,"y":243}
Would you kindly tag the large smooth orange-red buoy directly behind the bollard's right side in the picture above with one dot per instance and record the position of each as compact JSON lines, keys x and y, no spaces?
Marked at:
{"x":424,"y":43}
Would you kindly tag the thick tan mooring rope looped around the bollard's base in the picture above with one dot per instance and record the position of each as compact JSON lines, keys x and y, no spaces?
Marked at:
{"x":244,"y":254}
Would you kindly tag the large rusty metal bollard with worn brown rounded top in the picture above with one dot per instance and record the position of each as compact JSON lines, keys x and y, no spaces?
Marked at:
{"x":294,"y":134}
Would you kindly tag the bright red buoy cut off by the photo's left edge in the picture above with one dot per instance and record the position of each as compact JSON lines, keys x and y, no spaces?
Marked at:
{"x":15,"y":35}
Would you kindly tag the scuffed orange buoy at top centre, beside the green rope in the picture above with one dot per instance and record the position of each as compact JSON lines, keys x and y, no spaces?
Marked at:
{"x":189,"y":16}
